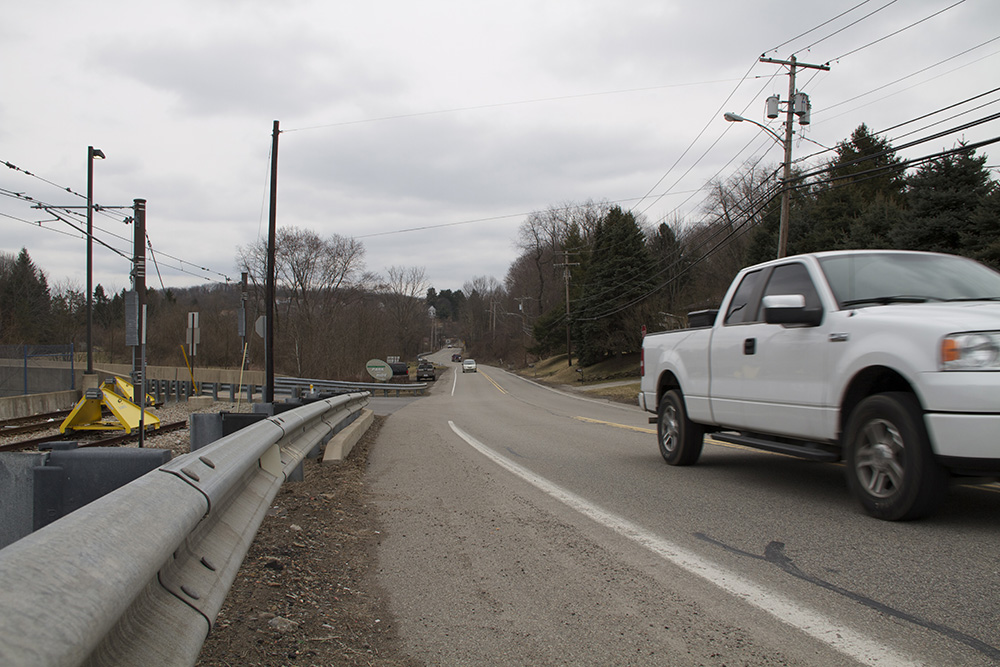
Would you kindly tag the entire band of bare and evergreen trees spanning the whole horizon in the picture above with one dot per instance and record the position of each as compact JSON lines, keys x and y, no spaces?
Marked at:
{"x":588,"y":277}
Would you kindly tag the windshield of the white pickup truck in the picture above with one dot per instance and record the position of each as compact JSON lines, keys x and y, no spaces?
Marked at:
{"x":902,"y":277}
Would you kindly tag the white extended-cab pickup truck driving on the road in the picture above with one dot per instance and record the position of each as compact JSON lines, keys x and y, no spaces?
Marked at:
{"x":887,"y":360}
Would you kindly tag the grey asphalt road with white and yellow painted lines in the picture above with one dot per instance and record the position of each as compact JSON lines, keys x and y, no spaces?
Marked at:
{"x":525,"y":526}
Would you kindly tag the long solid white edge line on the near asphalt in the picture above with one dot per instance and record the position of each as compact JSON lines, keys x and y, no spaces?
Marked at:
{"x":813,"y":623}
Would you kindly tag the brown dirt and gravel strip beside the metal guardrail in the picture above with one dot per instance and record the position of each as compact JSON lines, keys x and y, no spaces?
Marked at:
{"x":305,"y":594}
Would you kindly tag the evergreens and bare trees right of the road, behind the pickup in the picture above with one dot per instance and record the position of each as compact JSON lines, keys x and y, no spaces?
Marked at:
{"x":622,"y":273}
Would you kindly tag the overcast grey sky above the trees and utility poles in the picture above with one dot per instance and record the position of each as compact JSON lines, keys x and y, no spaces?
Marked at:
{"x":455,"y":119}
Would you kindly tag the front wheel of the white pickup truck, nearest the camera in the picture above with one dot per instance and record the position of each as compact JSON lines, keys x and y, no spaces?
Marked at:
{"x":891,"y":469}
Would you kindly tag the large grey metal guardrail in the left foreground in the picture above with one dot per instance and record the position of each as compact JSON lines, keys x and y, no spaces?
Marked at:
{"x":138,"y":576}
